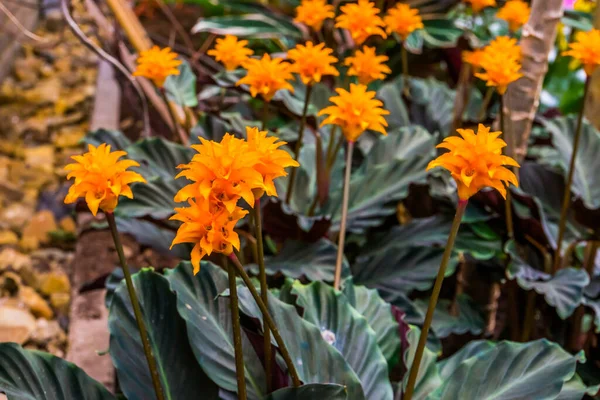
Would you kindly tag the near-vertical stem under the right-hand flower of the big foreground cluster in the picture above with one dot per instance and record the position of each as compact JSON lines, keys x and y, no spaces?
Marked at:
{"x":264,"y":291}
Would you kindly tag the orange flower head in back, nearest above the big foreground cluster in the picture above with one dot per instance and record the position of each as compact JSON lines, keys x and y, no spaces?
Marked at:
{"x":266,"y":76}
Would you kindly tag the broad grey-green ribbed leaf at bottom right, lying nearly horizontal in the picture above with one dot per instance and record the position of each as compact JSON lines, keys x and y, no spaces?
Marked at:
{"x":509,"y":370}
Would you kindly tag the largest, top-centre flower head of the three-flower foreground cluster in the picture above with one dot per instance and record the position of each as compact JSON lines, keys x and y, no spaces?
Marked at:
{"x":221,"y":172}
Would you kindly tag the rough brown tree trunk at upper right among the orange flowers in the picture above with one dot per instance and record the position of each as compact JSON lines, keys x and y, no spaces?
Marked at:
{"x":537,"y":40}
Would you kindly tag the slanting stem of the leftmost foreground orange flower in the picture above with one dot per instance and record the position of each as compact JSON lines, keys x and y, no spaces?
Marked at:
{"x":137,"y":311}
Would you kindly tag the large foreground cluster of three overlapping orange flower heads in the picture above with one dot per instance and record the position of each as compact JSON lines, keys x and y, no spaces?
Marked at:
{"x":222,"y":173}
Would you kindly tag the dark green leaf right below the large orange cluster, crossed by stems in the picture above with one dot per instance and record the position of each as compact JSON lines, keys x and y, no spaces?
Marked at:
{"x":208,"y":319}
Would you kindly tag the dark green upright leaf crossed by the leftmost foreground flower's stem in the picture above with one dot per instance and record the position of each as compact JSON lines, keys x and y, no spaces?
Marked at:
{"x":180,"y":374}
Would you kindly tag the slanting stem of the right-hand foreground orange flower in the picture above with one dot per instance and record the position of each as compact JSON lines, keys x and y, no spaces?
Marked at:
{"x":414,"y":369}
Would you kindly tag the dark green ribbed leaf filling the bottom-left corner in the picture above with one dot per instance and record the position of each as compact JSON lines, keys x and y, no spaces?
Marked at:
{"x":34,"y":375}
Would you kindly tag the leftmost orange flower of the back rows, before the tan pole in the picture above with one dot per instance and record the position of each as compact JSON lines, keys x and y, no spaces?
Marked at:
{"x":156,"y":65}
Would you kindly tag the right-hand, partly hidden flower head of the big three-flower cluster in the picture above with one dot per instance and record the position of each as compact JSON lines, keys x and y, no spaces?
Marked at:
{"x":272,"y":160}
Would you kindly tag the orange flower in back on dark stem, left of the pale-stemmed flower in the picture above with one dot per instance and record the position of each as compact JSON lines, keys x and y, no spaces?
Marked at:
{"x":312,"y":62}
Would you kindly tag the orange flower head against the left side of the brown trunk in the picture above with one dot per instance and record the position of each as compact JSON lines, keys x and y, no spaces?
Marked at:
{"x":499,"y":71}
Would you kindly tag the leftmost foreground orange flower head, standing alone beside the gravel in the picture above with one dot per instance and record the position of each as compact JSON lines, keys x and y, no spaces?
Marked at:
{"x":101,"y":178}
